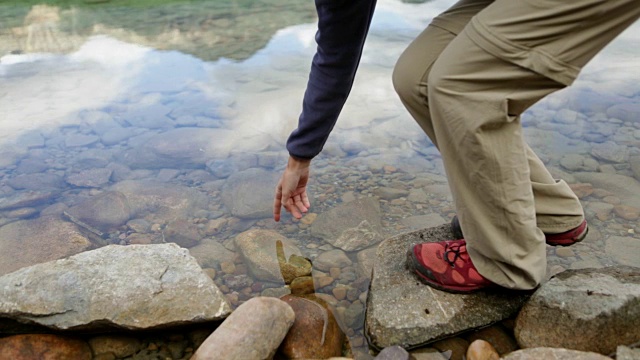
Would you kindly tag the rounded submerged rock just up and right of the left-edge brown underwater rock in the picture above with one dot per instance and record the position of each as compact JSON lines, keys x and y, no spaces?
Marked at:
{"x":105,"y":212}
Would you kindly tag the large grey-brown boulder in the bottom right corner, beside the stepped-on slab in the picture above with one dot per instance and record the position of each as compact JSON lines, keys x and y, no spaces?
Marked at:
{"x":603,"y":303}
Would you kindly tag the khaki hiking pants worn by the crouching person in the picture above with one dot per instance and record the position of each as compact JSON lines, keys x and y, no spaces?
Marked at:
{"x":466,"y":80}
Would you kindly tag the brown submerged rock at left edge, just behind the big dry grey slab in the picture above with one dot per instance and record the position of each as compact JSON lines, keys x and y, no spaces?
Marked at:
{"x":28,"y":242}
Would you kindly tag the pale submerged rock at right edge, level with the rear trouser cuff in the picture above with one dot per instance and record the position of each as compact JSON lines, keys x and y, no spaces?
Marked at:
{"x":625,"y":187}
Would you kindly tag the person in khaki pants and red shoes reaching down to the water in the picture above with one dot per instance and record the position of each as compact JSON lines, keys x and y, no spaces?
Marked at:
{"x":466,"y":79}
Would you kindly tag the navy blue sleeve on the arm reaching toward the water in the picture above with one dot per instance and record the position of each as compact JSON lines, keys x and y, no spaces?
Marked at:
{"x":342,"y":29}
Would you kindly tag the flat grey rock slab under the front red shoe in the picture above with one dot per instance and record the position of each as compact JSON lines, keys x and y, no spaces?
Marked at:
{"x":403,"y":311}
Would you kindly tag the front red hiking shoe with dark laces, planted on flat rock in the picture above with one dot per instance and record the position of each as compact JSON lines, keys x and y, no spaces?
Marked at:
{"x":446,"y":266}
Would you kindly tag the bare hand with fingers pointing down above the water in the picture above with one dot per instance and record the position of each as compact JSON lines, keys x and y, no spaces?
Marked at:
{"x":291,"y":191}
